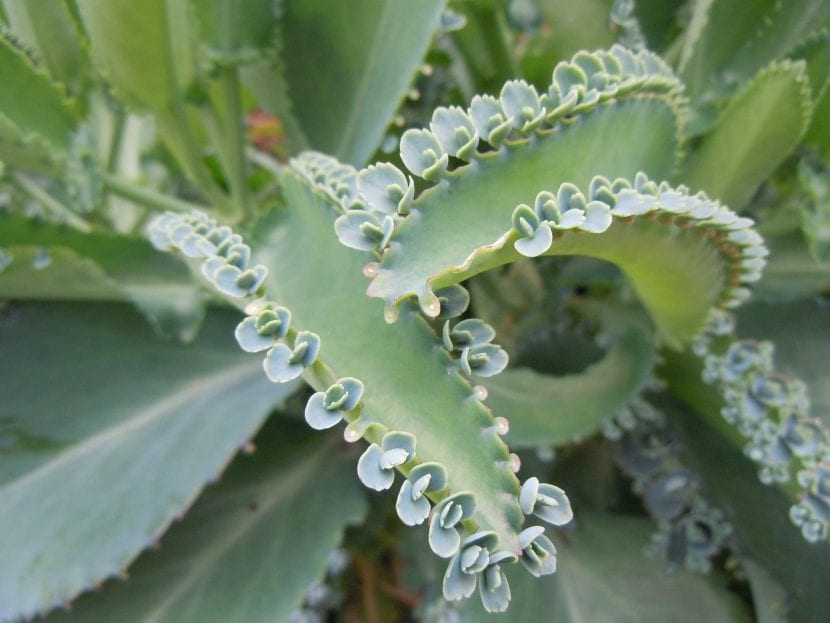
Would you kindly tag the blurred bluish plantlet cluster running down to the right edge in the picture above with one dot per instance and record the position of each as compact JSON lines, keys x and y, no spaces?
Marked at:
{"x":767,"y":414}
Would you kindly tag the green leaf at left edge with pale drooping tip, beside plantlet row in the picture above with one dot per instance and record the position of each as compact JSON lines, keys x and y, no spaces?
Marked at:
{"x":98,"y":266}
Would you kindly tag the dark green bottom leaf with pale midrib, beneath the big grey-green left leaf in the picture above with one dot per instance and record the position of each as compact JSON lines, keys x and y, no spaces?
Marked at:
{"x":250,"y":547}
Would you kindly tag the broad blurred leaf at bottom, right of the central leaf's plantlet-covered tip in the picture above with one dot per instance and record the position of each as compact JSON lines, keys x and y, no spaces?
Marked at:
{"x":604,"y":577}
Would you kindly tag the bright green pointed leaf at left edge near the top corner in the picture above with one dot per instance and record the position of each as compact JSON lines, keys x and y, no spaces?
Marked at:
{"x":36,"y":105}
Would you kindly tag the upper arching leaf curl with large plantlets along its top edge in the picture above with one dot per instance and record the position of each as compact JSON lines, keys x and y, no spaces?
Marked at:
{"x":519,"y":123}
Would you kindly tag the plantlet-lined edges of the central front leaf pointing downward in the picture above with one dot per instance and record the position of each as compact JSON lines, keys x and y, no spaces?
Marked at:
{"x":291,"y":351}
